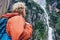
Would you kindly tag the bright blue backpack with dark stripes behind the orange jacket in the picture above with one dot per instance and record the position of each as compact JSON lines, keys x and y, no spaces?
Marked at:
{"x":3,"y":34}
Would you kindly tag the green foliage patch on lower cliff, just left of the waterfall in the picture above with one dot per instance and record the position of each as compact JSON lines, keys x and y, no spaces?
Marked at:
{"x":40,"y":31}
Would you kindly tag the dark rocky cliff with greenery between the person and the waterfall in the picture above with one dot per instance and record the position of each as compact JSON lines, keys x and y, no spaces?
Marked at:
{"x":33,"y":16}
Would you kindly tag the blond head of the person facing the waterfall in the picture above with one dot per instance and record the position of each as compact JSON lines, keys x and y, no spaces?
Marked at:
{"x":19,"y":7}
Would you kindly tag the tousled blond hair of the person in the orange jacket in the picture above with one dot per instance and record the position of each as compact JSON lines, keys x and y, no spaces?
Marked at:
{"x":17,"y":6}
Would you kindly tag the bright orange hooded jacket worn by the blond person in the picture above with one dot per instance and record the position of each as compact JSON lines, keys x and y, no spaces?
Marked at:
{"x":17,"y":28}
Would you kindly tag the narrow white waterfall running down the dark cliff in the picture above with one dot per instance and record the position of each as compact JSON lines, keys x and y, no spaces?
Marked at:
{"x":49,"y":29}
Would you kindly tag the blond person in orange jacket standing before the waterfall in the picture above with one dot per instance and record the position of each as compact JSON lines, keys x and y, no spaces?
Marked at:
{"x":17,"y":27}
